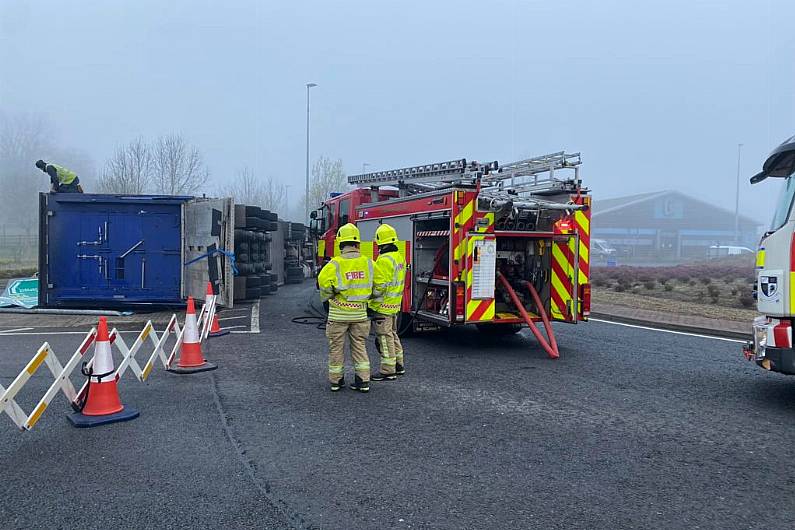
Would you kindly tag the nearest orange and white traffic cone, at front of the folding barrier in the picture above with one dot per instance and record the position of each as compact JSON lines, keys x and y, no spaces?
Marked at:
{"x":102,"y":404}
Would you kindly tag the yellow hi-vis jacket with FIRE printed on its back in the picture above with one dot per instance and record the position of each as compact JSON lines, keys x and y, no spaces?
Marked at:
{"x":347,"y":283}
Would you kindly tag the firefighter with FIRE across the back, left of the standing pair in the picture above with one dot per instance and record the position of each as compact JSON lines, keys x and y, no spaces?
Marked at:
{"x":347,"y":283}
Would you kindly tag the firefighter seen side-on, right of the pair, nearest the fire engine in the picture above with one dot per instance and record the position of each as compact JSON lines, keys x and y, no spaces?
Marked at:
{"x":390,"y":276}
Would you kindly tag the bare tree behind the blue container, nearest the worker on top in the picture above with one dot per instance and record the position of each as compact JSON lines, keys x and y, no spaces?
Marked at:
{"x":128,"y":170}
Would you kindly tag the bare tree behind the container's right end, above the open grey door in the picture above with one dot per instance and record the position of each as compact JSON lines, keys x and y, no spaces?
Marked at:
{"x":178,"y":167}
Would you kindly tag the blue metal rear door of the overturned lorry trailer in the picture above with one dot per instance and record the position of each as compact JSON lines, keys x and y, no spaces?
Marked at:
{"x":112,"y":249}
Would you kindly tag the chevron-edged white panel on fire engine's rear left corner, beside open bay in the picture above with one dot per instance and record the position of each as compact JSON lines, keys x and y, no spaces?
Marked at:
{"x":481,"y":275}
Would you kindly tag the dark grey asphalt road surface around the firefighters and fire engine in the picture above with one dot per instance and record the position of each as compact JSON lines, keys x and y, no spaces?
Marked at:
{"x":628,"y":429}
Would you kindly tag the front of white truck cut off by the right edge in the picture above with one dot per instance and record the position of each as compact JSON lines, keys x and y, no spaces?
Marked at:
{"x":771,"y":346}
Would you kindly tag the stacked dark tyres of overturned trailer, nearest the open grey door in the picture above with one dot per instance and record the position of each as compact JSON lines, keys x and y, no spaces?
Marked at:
{"x":252,"y":243}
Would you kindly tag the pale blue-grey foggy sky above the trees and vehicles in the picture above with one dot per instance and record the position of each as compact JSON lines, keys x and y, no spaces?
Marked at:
{"x":656,"y":95}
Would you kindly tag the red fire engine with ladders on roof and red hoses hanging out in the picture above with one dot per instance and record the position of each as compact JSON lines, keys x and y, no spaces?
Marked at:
{"x":496,"y":246}
